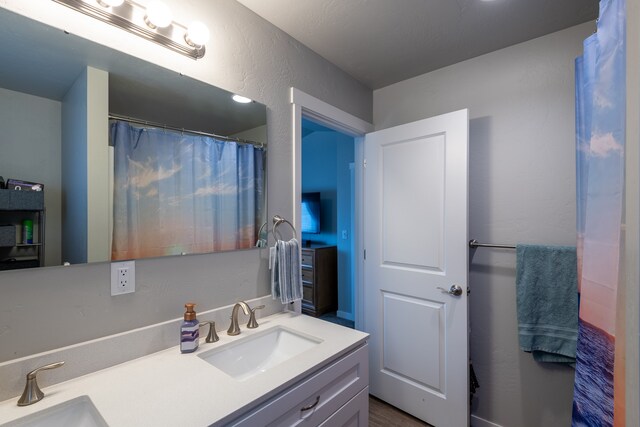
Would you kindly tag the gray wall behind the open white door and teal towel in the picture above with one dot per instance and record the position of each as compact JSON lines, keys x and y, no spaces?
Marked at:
{"x":522,"y":189}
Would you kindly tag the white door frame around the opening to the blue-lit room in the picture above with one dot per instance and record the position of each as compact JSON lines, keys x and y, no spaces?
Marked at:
{"x":334,"y":118}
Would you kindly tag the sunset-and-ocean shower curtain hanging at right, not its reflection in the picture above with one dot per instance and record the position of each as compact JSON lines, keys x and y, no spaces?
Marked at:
{"x":600,"y":139}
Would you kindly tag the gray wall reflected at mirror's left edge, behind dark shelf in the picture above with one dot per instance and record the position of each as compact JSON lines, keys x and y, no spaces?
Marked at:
{"x":25,"y":122}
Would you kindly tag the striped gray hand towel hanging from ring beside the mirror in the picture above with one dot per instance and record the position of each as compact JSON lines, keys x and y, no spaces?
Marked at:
{"x":286,"y":273}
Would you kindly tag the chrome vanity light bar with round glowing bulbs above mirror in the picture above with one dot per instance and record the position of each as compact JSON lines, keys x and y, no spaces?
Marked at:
{"x":152,"y":22}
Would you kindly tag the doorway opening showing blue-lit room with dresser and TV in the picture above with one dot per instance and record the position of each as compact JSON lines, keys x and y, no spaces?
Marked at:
{"x":328,"y":223}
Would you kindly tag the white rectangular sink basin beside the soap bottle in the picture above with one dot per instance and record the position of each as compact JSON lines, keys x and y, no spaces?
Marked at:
{"x":259,"y":352}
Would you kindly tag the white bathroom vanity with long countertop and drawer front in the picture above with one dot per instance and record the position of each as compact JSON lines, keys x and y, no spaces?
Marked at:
{"x":308,"y":370}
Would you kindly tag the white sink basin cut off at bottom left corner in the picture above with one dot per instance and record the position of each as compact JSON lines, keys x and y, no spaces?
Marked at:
{"x":78,"y":412}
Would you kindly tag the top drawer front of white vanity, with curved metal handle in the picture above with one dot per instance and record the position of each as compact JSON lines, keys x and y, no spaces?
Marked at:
{"x":317,"y":397}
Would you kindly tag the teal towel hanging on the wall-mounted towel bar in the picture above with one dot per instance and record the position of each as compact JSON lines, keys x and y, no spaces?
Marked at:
{"x":547,"y":302}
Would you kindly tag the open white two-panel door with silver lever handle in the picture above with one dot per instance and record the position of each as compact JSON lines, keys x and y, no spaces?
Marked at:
{"x":416,"y":252}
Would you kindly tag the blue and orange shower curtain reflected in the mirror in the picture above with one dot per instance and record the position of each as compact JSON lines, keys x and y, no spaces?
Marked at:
{"x":178,"y":193}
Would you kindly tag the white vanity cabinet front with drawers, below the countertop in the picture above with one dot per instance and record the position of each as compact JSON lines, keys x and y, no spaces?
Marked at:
{"x":335,"y":395}
